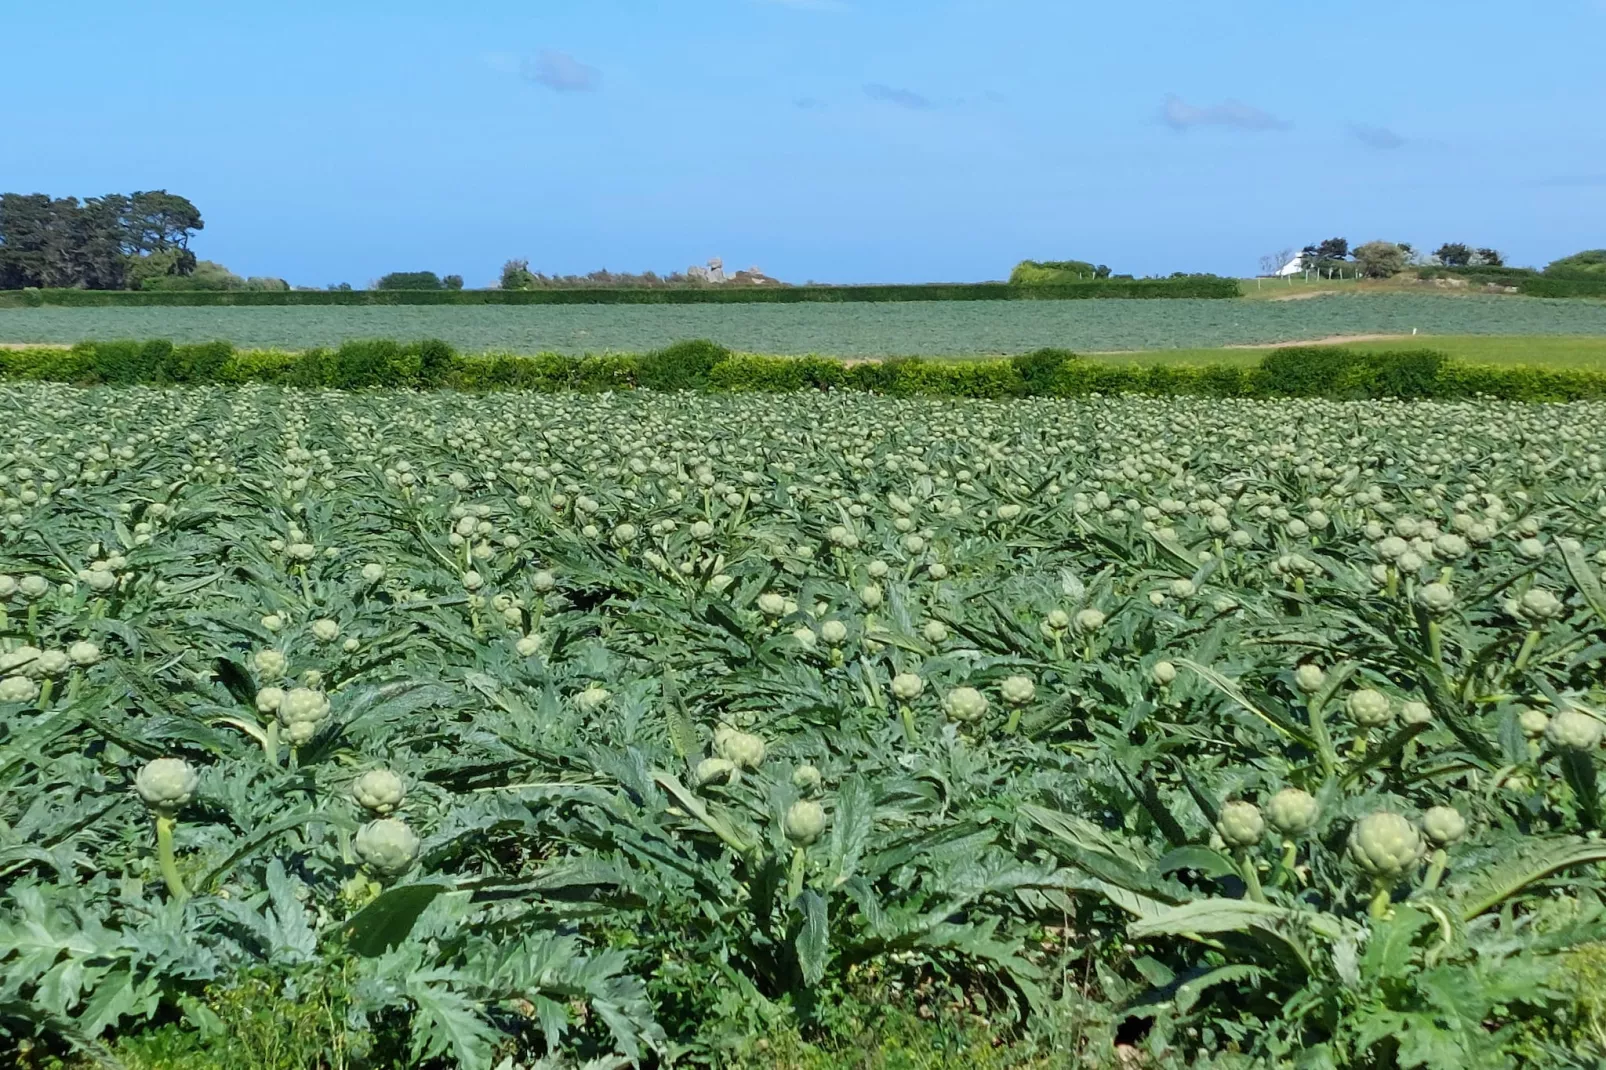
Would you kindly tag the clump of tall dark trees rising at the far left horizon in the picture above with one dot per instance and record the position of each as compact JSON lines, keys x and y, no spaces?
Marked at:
{"x":116,"y":242}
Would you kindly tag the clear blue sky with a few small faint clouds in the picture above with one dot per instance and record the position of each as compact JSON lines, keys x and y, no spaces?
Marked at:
{"x":834,"y":141}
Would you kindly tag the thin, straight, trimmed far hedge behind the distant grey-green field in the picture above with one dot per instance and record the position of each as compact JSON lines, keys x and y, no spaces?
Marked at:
{"x":1189,"y":287}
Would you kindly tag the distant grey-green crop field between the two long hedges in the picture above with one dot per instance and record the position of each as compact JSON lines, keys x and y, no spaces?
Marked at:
{"x":873,"y":330}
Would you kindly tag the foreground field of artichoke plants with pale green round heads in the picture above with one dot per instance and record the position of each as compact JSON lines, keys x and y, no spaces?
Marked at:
{"x":622,"y":729}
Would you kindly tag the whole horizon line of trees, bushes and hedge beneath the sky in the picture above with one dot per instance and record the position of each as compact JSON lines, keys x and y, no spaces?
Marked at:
{"x":139,"y":247}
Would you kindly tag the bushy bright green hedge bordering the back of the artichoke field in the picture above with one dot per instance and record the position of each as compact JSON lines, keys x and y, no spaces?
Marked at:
{"x":701,"y":366}
